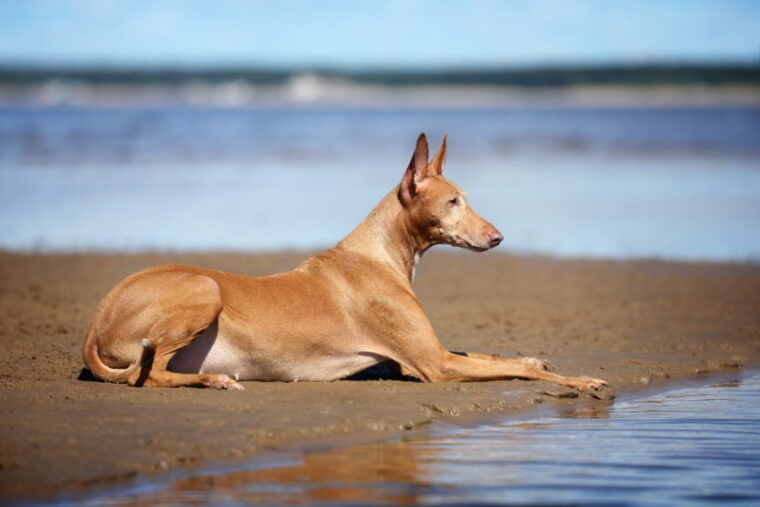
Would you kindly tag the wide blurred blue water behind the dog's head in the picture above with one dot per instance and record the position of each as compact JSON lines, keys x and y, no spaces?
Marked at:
{"x":679,"y":183}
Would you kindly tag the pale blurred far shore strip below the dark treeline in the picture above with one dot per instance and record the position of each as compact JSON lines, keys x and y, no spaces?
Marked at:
{"x":328,"y":95}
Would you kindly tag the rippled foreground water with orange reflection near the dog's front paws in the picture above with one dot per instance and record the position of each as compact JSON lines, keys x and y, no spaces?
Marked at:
{"x":690,"y":446}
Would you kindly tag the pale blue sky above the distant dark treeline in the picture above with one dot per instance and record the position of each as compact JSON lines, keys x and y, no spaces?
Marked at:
{"x":377,"y":33}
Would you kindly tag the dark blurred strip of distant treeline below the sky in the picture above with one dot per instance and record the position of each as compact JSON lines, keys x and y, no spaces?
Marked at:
{"x":651,"y":73}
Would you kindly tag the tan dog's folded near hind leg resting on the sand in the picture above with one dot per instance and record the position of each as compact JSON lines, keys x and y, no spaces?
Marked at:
{"x":176,"y":327}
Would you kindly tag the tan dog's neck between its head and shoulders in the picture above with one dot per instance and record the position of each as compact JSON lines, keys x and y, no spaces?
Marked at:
{"x":388,"y":235}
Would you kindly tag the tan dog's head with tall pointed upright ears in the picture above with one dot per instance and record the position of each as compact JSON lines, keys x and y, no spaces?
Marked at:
{"x":437,"y":209}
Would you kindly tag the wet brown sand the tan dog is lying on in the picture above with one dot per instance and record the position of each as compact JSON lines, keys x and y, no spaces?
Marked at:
{"x":637,"y":324}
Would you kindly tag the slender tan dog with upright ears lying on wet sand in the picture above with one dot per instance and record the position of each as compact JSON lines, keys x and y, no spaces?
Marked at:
{"x":339,"y":312}
